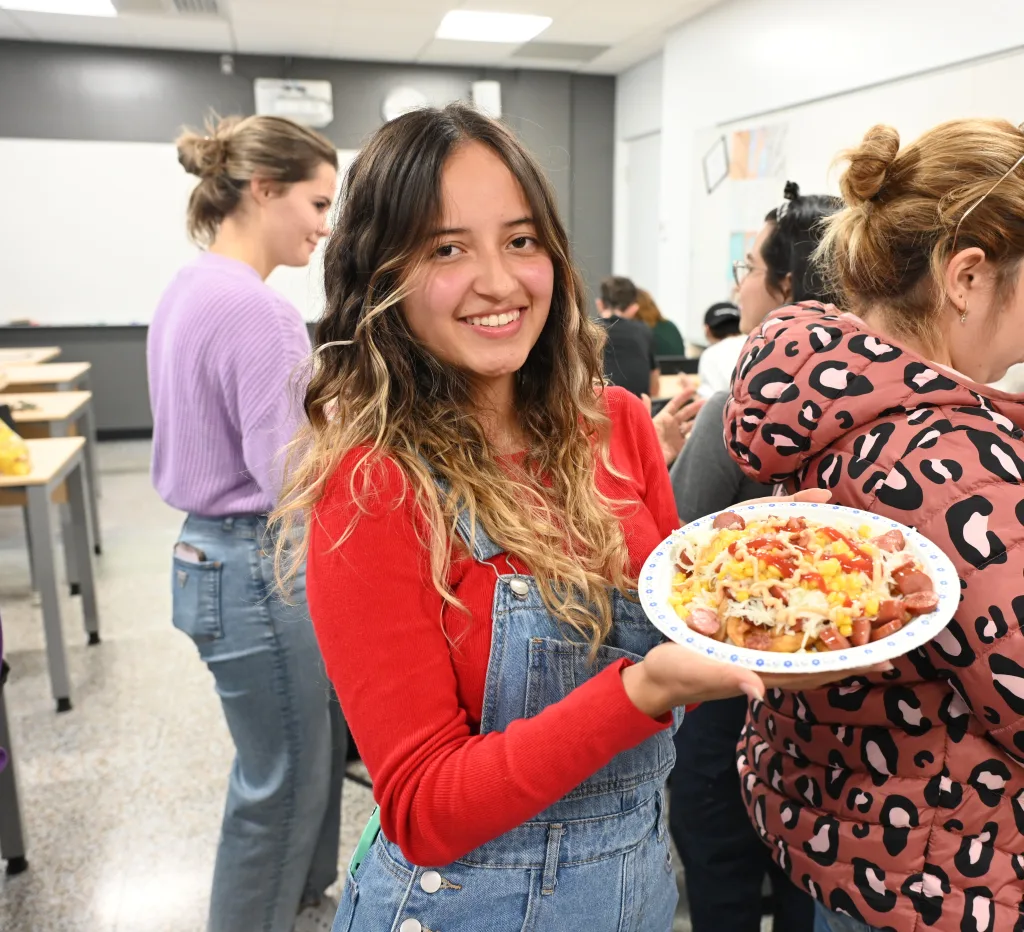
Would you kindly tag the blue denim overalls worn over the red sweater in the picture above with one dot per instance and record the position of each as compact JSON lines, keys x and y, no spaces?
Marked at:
{"x":598,"y":861}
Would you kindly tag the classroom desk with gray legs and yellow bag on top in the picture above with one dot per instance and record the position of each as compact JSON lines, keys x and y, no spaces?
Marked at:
{"x":57,"y":461}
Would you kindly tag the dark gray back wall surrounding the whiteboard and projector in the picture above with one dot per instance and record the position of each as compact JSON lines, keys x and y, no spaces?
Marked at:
{"x":84,"y":93}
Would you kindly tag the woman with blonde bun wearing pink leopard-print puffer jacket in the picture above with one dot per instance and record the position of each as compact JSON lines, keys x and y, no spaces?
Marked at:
{"x":898,"y":799}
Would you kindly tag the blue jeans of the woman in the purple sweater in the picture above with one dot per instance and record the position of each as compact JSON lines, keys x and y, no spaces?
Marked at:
{"x":280,"y":836}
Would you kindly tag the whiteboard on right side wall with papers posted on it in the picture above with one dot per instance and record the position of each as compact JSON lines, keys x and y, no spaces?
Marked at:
{"x":816,"y":134}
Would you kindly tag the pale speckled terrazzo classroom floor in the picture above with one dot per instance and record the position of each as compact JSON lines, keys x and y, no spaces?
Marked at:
{"x":122,"y":797}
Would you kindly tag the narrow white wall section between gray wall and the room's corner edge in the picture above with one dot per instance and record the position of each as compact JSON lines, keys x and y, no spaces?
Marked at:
{"x":638,"y":123}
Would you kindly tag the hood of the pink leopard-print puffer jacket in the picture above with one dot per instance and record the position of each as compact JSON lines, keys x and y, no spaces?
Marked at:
{"x":856,"y":377}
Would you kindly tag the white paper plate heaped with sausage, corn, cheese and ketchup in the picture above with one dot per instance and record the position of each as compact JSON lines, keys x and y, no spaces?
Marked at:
{"x":799,"y":587}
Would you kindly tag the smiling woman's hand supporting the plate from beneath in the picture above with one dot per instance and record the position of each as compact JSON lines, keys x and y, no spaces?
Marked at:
{"x":672,"y":675}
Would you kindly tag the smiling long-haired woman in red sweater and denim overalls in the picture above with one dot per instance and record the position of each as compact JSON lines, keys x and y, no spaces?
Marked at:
{"x":478,"y":512}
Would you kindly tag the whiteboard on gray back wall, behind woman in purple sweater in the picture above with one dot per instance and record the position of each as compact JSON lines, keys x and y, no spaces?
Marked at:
{"x":92,"y":233}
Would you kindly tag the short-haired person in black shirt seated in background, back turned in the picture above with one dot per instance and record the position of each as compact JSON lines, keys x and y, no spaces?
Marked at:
{"x":629,"y":353}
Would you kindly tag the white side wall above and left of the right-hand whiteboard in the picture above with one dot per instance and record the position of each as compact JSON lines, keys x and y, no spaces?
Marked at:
{"x":751,"y":57}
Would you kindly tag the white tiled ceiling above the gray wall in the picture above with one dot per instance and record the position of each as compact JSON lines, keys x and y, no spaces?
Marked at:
{"x":378,"y":30}
